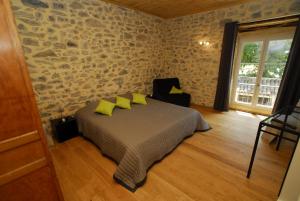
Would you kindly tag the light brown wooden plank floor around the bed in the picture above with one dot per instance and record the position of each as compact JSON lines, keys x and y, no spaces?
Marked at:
{"x":207,"y":166}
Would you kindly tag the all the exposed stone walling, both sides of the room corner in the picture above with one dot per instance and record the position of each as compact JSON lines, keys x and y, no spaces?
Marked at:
{"x":81,"y":50}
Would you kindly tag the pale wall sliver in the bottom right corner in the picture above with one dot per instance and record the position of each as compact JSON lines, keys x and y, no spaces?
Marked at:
{"x":291,"y":187}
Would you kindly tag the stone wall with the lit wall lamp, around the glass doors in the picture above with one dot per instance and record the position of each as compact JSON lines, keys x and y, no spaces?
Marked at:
{"x":198,"y":66}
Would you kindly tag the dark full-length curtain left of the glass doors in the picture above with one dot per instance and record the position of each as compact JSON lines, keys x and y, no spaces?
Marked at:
{"x":227,"y":54}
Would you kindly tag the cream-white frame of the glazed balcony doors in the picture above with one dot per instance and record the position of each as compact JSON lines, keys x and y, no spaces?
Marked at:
{"x":261,"y":35}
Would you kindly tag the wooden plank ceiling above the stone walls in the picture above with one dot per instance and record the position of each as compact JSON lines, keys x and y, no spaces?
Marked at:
{"x":175,"y":8}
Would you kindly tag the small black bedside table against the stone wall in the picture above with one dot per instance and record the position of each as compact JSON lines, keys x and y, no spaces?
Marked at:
{"x":64,"y":128}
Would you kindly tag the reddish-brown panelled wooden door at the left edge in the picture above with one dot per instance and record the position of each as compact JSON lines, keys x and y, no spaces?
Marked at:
{"x":26,"y":170}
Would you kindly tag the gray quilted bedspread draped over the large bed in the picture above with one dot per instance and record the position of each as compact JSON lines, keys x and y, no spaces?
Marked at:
{"x":137,"y":138}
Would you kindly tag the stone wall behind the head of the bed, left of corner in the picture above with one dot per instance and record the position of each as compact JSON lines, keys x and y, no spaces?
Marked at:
{"x":80,"y":51}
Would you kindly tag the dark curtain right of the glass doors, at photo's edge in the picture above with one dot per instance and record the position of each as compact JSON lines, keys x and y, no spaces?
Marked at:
{"x":289,"y":90}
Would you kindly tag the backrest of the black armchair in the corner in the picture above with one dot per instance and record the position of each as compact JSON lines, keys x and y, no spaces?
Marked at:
{"x":163,"y":86}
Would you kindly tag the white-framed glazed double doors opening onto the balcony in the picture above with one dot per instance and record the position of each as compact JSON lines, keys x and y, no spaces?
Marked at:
{"x":259,"y":65}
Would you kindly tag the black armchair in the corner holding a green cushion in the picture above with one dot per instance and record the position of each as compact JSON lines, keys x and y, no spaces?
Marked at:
{"x":161,"y":91}
